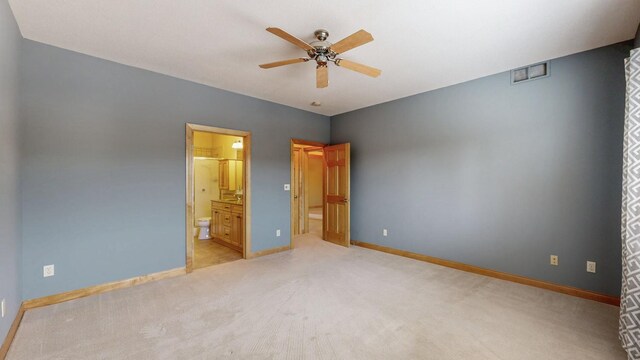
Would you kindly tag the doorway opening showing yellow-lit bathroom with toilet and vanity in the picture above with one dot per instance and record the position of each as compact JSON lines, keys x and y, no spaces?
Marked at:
{"x":217,"y":199}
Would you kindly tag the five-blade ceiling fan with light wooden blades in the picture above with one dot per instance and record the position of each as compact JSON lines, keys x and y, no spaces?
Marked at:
{"x":324,"y":52}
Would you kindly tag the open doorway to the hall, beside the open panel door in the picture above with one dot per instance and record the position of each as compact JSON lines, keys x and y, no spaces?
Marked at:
{"x":307,"y":188}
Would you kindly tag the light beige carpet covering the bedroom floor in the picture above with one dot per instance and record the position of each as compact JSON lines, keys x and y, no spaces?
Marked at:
{"x":322,"y":301}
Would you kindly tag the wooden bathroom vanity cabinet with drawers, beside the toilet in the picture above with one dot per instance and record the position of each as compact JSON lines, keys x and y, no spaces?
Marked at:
{"x":227,"y":225}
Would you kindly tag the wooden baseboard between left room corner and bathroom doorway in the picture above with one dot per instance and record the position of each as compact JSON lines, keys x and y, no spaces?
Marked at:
{"x":98,"y":289}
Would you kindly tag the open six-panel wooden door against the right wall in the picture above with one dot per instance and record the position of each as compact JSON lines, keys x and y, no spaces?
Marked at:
{"x":336,"y":190}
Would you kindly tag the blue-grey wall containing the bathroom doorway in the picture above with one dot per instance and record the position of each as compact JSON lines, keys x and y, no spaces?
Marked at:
{"x":104,"y":166}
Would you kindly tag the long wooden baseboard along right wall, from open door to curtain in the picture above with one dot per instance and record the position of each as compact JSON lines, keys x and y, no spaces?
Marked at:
{"x":568,"y":290}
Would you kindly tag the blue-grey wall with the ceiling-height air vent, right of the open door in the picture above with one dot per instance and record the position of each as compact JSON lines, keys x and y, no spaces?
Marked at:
{"x":499,"y":175}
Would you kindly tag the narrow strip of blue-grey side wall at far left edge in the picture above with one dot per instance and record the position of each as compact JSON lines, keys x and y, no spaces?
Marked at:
{"x":9,"y":168}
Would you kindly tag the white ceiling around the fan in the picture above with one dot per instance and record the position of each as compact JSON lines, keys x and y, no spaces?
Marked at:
{"x":419,"y":45}
